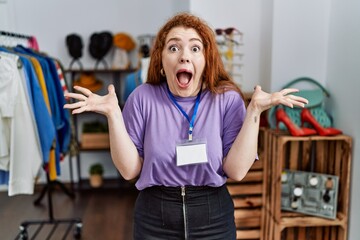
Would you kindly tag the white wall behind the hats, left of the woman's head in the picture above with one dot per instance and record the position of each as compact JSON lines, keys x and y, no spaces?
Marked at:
{"x":51,"y":21}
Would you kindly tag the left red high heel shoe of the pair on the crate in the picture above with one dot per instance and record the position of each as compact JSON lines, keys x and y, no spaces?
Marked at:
{"x":294,"y":130}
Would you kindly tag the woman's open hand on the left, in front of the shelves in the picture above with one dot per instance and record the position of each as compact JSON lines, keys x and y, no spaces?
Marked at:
{"x":88,"y":101}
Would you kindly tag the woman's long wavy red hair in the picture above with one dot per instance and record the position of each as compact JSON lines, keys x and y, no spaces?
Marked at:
{"x":215,"y":77}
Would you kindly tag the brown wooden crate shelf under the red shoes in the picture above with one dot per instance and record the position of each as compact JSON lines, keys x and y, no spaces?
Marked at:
{"x":332,"y":155}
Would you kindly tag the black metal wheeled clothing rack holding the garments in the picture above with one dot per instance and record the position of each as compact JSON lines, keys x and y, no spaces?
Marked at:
{"x":49,"y":187}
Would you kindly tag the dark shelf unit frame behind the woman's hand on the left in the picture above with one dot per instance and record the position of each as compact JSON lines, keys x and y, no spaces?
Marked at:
{"x":117,"y":75}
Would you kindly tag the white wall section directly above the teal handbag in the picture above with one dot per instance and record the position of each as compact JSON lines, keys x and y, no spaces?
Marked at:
{"x":300,"y":38}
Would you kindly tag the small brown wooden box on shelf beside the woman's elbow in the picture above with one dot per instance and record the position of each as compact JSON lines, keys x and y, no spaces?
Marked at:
{"x":95,"y":141}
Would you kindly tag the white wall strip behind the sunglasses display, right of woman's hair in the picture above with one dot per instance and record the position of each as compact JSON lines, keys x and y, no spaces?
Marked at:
{"x":244,"y":15}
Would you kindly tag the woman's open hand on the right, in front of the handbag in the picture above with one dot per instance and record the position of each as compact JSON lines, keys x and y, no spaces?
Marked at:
{"x":261,"y":101}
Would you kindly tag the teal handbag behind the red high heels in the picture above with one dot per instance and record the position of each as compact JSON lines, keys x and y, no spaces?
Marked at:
{"x":315,"y":105}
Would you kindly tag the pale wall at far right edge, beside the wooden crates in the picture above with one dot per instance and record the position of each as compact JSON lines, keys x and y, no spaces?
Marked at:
{"x":342,"y":79}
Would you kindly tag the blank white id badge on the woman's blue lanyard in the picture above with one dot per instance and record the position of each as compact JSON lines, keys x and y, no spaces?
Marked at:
{"x":191,"y":152}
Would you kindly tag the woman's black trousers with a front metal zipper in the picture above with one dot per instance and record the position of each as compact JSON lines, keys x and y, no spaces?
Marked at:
{"x":189,"y":213}
